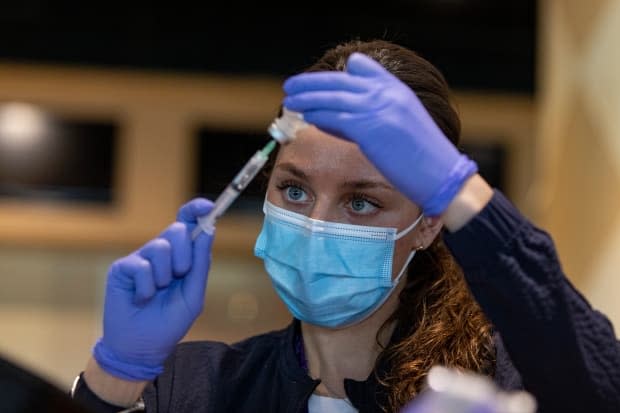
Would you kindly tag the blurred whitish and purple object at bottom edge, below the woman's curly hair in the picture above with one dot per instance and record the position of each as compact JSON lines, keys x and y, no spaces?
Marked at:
{"x":452,"y":391}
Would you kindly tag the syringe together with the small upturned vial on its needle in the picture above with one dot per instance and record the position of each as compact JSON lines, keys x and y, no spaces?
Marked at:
{"x":283,"y":129}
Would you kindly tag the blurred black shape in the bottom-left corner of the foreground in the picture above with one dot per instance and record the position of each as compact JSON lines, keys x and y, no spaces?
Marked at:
{"x":24,"y":392}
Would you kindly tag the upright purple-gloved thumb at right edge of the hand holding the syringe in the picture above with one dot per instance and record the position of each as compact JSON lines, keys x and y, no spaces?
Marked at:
{"x":195,"y":281}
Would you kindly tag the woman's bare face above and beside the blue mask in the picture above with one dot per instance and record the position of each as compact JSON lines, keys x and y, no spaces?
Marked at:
{"x":327,"y":178}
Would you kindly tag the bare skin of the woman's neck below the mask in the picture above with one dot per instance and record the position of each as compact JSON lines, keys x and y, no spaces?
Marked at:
{"x":351,"y":352}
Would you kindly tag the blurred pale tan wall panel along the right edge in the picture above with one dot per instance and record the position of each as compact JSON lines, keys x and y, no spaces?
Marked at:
{"x":578,"y":143}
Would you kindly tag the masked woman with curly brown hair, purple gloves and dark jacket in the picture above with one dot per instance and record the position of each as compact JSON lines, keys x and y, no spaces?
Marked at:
{"x":355,"y":202}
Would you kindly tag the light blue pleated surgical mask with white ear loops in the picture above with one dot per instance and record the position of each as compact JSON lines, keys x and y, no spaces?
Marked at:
{"x":327,"y":273}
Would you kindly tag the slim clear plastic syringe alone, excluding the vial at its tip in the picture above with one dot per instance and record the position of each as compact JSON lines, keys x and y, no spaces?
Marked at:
{"x":235,"y":187}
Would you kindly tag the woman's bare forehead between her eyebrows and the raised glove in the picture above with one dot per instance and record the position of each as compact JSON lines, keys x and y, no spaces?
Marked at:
{"x":319,"y":154}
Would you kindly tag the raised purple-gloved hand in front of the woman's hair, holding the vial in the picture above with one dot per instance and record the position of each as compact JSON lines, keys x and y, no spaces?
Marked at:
{"x":371,"y":107}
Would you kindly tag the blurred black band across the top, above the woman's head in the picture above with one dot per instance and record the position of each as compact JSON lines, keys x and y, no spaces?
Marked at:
{"x":478,"y":44}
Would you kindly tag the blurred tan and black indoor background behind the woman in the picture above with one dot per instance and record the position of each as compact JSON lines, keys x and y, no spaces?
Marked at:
{"x":112,"y":117}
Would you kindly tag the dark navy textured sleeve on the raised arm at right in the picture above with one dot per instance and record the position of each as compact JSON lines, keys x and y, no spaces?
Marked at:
{"x":566,"y":351}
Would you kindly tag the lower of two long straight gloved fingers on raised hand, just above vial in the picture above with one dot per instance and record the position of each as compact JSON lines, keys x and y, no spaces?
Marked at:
{"x":330,"y":100}
